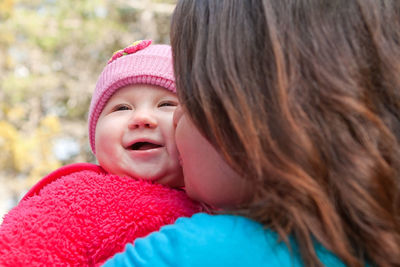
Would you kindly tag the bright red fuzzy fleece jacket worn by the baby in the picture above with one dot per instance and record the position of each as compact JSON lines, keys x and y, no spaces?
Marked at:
{"x":80,"y":215}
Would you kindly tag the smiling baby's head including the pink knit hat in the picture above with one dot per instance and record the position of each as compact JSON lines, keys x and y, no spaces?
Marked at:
{"x":130,"y":119}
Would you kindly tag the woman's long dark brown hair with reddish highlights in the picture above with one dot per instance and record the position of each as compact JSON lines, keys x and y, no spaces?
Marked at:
{"x":302,"y":98}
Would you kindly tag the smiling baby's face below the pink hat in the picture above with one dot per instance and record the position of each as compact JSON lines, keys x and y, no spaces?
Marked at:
{"x":135,"y":135}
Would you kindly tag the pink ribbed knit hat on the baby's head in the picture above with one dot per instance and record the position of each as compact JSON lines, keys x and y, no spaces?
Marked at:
{"x":140,"y":63}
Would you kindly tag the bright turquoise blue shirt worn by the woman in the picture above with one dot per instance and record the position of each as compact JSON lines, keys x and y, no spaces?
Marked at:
{"x":214,"y":240}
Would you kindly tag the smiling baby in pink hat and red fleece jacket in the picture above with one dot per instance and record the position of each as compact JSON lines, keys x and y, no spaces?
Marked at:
{"x":82,"y":214}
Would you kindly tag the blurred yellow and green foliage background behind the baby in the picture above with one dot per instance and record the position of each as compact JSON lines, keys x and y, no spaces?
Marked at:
{"x":51,"y":53}
